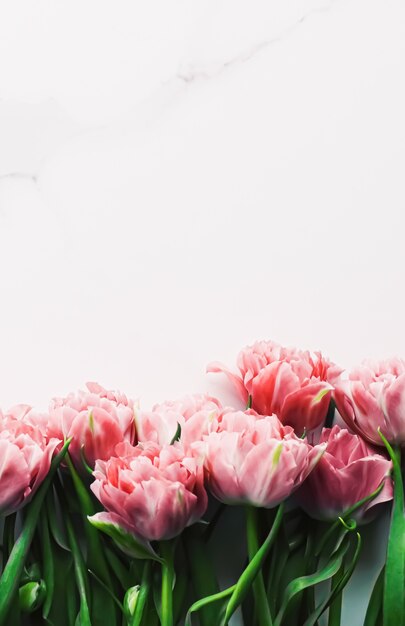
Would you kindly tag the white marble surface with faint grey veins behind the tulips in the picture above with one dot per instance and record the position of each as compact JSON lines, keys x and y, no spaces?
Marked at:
{"x":178,"y":178}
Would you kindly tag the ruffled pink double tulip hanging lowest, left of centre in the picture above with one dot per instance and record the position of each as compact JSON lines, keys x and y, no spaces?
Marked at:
{"x":150,"y":491}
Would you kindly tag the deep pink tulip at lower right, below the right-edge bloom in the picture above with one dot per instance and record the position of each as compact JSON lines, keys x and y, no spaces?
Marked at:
{"x":348,"y":472}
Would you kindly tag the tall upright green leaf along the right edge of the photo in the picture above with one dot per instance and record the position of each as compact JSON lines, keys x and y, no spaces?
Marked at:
{"x":393,"y":599}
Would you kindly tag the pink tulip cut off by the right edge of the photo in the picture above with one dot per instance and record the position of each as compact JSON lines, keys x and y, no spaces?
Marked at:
{"x":373,"y":398}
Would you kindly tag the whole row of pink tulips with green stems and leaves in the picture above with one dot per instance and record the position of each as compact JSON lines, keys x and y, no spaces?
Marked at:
{"x":111,"y":515}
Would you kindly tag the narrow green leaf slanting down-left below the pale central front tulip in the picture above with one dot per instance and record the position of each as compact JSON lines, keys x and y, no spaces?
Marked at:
{"x":248,"y":576}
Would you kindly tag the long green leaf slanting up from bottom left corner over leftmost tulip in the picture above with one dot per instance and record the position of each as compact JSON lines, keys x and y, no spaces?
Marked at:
{"x":10,"y":578}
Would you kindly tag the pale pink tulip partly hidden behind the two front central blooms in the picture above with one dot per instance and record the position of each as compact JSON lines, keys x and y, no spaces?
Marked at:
{"x":195,"y":414}
